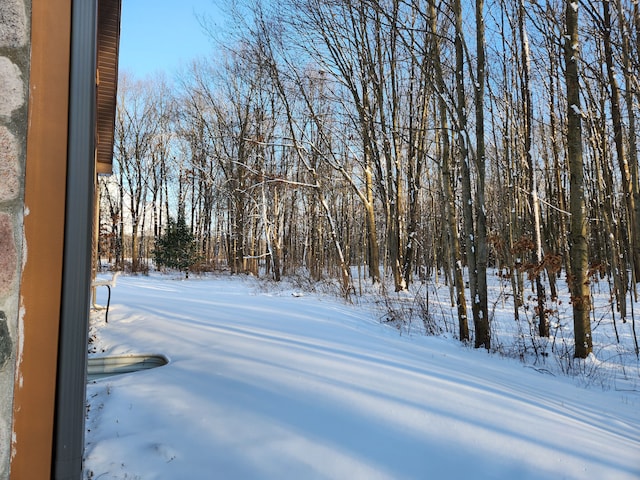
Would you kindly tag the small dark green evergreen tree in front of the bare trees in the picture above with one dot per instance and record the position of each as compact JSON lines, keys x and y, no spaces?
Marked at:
{"x":176,"y":248}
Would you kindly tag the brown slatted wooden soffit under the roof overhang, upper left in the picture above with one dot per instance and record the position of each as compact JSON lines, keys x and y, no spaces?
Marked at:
{"x":107,"y":81}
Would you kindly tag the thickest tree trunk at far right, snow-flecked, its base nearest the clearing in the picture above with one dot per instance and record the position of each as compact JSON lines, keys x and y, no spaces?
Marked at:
{"x":578,"y":248}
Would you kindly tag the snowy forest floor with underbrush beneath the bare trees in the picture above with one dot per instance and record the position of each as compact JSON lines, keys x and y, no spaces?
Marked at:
{"x":428,"y":308}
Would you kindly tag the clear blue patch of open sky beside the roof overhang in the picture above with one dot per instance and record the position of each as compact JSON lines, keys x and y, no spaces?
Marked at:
{"x":162,"y":35}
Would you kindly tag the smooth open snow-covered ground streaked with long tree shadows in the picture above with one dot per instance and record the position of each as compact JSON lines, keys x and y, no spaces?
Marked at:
{"x":276,"y":385}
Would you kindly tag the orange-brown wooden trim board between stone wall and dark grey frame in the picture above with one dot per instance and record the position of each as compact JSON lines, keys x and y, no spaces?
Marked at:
{"x":41,"y":285}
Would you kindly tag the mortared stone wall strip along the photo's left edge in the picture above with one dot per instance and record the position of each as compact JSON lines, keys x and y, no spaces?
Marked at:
{"x":14,"y":77}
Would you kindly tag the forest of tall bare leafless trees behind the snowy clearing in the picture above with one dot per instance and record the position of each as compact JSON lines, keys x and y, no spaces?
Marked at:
{"x":401,"y":139}
